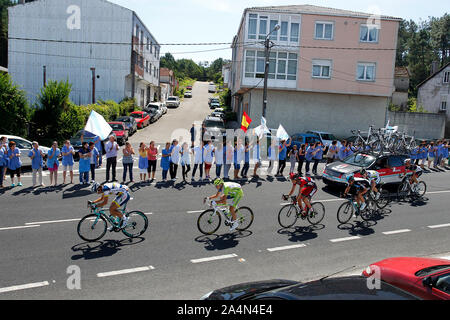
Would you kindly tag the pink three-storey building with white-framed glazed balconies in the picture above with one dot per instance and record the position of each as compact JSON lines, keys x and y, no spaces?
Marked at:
{"x":330,"y":69}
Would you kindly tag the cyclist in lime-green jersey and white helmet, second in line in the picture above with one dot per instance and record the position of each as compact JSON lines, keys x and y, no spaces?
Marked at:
{"x":228,"y":190}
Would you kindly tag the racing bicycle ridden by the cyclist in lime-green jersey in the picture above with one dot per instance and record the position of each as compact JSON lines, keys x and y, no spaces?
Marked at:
{"x":209,"y":220}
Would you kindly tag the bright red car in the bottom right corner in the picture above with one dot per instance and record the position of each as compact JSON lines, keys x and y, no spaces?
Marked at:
{"x":426,"y":278}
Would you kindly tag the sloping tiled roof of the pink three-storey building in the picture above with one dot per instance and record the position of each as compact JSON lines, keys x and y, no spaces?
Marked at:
{"x":311,"y":9}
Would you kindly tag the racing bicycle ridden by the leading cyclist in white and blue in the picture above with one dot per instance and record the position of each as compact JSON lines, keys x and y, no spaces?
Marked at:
{"x":94,"y":226}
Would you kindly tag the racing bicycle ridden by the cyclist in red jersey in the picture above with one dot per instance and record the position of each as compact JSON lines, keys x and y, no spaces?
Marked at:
{"x":289,"y":213}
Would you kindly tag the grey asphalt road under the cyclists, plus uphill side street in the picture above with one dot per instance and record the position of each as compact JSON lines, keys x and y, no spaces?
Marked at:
{"x":173,"y":260}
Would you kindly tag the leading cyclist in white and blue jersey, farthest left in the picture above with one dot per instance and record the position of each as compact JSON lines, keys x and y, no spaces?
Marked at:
{"x":122,"y":194}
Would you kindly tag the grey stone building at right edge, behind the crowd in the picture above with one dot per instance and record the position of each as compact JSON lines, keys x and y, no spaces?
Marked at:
{"x":433,"y":93}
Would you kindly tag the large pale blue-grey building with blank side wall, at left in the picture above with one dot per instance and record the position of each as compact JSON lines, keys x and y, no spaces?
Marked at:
{"x":65,"y":39}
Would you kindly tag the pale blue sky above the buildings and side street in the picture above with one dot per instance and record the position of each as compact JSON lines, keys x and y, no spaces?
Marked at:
{"x":217,"y":21}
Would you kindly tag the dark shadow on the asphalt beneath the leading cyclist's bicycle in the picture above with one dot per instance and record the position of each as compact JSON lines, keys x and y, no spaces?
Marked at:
{"x":101,"y":249}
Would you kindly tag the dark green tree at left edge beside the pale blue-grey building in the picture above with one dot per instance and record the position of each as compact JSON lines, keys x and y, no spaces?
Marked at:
{"x":14,"y":109}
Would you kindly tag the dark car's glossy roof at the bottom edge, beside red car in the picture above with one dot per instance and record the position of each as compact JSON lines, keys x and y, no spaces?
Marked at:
{"x":339,"y":288}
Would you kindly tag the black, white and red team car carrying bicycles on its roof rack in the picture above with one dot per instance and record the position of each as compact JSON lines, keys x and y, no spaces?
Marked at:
{"x":388,"y":165}
